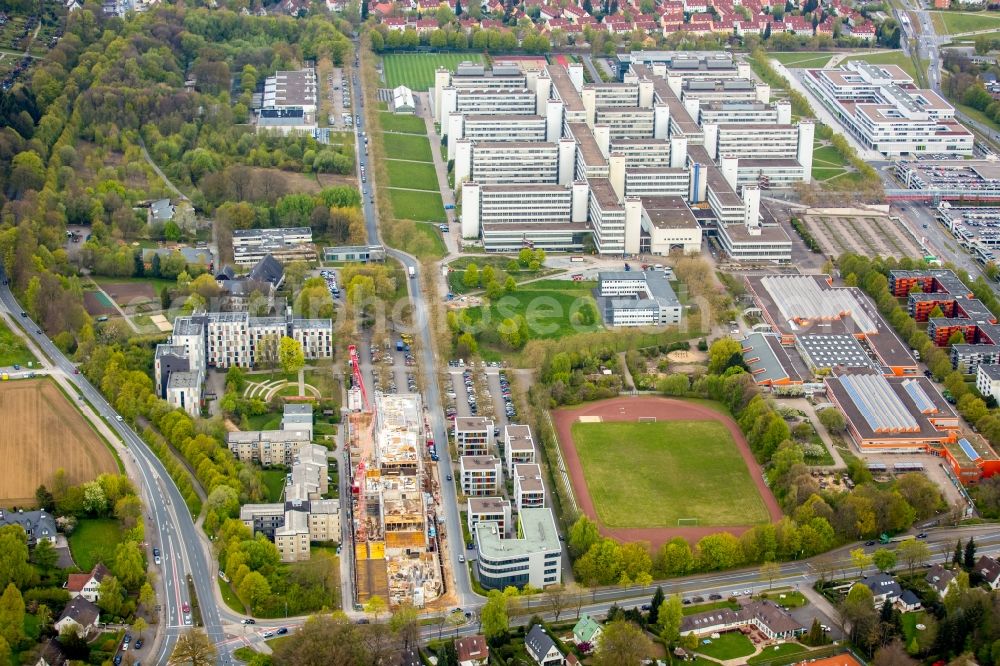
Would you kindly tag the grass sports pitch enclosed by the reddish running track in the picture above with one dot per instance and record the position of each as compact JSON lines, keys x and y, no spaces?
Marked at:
{"x":679,"y":469}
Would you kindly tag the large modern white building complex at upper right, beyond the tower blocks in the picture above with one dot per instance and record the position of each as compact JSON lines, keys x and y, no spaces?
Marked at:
{"x":881,"y":107}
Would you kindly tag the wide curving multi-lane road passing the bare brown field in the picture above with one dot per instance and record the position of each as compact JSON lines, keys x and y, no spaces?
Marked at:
{"x":168,"y":520}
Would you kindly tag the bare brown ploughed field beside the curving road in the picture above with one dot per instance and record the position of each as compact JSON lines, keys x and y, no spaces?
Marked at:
{"x":41,"y":432}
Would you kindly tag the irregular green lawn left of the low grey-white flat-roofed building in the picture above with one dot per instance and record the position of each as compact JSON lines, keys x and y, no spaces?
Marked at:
{"x":548,"y":306}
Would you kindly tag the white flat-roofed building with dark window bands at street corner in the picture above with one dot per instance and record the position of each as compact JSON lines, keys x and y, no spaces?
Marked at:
{"x":533,"y":558}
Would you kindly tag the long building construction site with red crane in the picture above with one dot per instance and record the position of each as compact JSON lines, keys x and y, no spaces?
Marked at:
{"x":396,"y":540}
